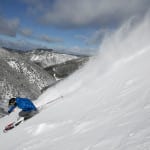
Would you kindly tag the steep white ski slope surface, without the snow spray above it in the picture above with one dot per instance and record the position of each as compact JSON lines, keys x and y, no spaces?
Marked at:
{"x":111,"y":112}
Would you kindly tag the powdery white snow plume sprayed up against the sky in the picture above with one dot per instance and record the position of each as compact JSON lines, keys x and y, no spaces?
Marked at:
{"x":130,"y":38}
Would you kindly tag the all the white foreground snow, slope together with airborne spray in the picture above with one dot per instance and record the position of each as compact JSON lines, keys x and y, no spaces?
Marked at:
{"x":105,"y":105}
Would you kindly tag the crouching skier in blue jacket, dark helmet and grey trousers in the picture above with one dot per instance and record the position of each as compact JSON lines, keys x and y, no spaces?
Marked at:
{"x":28,"y":108}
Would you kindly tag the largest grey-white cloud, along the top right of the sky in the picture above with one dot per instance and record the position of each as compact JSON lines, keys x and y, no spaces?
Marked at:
{"x":79,"y":13}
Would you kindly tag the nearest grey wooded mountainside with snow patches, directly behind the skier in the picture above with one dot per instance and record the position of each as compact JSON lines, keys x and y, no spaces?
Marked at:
{"x":19,"y":76}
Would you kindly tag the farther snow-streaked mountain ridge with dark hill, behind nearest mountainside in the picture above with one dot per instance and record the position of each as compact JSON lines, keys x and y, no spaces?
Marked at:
{"x":59,"y":65}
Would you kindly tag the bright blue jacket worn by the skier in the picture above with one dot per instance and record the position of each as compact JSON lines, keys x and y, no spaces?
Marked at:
{"x":23,"y":103}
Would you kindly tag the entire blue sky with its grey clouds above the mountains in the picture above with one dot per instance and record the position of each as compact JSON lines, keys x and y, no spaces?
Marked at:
{"x":73,"y":25}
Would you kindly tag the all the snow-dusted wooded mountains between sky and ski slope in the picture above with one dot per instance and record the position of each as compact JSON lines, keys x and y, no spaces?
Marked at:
{"x":27,"y":74}
